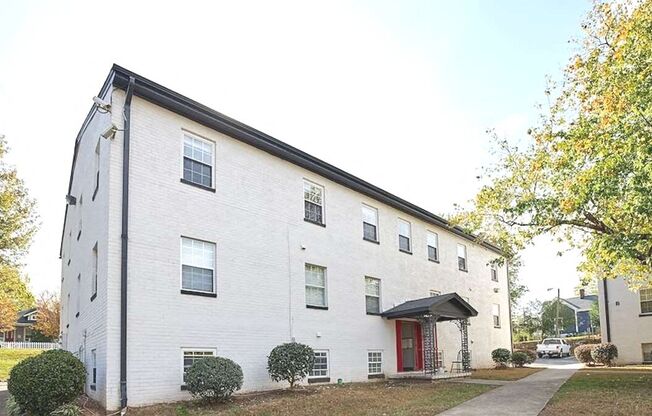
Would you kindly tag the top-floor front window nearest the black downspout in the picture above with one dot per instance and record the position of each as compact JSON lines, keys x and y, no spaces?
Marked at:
{"x":198,"y":161}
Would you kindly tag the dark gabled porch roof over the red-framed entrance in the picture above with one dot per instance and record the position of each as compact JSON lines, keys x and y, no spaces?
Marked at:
{"x":445,"y":307}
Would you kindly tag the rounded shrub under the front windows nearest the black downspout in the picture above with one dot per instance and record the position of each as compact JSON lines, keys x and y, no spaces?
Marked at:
{"x":214,"y":378}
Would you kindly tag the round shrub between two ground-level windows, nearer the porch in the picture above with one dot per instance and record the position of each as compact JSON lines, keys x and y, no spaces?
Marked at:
{"x":290,"y":362}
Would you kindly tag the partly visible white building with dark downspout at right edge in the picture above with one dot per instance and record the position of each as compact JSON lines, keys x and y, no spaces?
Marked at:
{"x":626,"y":320}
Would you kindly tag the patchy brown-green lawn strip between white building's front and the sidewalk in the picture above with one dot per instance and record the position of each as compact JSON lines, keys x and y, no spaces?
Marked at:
{"x":386,"y":398}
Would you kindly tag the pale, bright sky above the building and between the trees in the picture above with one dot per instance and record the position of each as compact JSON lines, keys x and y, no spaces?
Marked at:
{"x":398,"y":93}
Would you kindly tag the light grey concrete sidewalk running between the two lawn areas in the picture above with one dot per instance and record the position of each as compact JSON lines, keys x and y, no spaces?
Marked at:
{"x":525,"y":397}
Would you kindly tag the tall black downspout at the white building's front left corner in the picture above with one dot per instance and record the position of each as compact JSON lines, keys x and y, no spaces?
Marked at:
{"x":125,"y":242}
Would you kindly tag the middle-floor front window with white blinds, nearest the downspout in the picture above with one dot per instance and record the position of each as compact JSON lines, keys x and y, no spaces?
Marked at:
{"x":197,"y":266}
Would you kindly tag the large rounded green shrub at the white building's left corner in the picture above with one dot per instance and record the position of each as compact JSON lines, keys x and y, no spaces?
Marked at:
{"x":42,"y":383}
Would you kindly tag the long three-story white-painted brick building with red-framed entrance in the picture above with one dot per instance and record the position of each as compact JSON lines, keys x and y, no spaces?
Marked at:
{"x":217,"y":239}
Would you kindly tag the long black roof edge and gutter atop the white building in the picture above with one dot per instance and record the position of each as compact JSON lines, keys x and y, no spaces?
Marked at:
{"x":202,"y":114}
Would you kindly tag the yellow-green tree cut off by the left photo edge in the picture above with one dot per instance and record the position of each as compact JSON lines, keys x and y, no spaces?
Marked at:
{"x":17,"y":213}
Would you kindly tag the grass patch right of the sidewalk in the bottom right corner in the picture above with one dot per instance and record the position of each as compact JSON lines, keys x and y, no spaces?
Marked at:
{"x":602,"y":392}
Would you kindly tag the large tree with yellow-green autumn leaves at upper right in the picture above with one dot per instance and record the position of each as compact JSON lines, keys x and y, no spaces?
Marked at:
{"x":585,"y":173}
